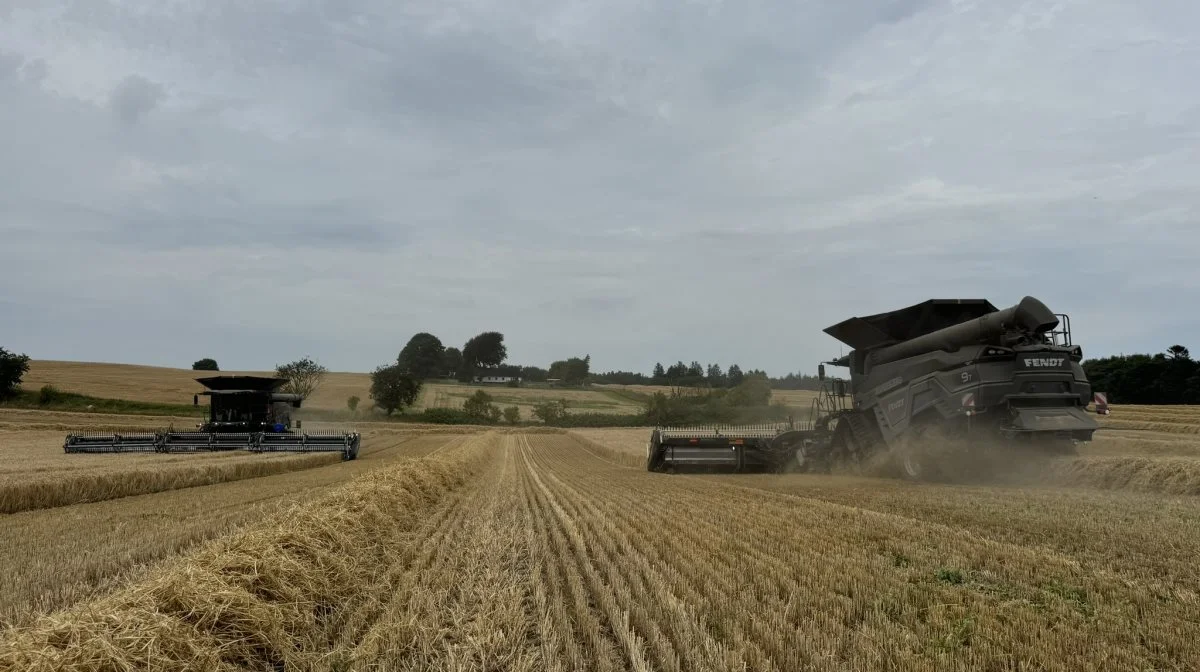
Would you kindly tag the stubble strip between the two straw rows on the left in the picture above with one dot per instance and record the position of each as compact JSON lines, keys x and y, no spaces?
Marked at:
{"x":56,"y":557}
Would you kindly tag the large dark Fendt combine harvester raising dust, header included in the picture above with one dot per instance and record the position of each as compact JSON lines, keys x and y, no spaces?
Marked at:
{"x":945,"y":373}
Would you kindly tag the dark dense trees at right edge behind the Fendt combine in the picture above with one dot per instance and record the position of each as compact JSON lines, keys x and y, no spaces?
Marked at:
{"x":1165,"y":379}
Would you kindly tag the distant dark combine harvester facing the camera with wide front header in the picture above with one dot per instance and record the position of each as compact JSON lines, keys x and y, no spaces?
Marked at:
{"x":245,"y":413}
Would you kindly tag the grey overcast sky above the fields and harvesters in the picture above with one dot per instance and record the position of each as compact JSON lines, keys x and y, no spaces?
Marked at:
{"x":637,"y":181}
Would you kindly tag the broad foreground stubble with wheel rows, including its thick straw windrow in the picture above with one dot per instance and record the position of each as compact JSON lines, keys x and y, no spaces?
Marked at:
{"x":511,"y":551}
